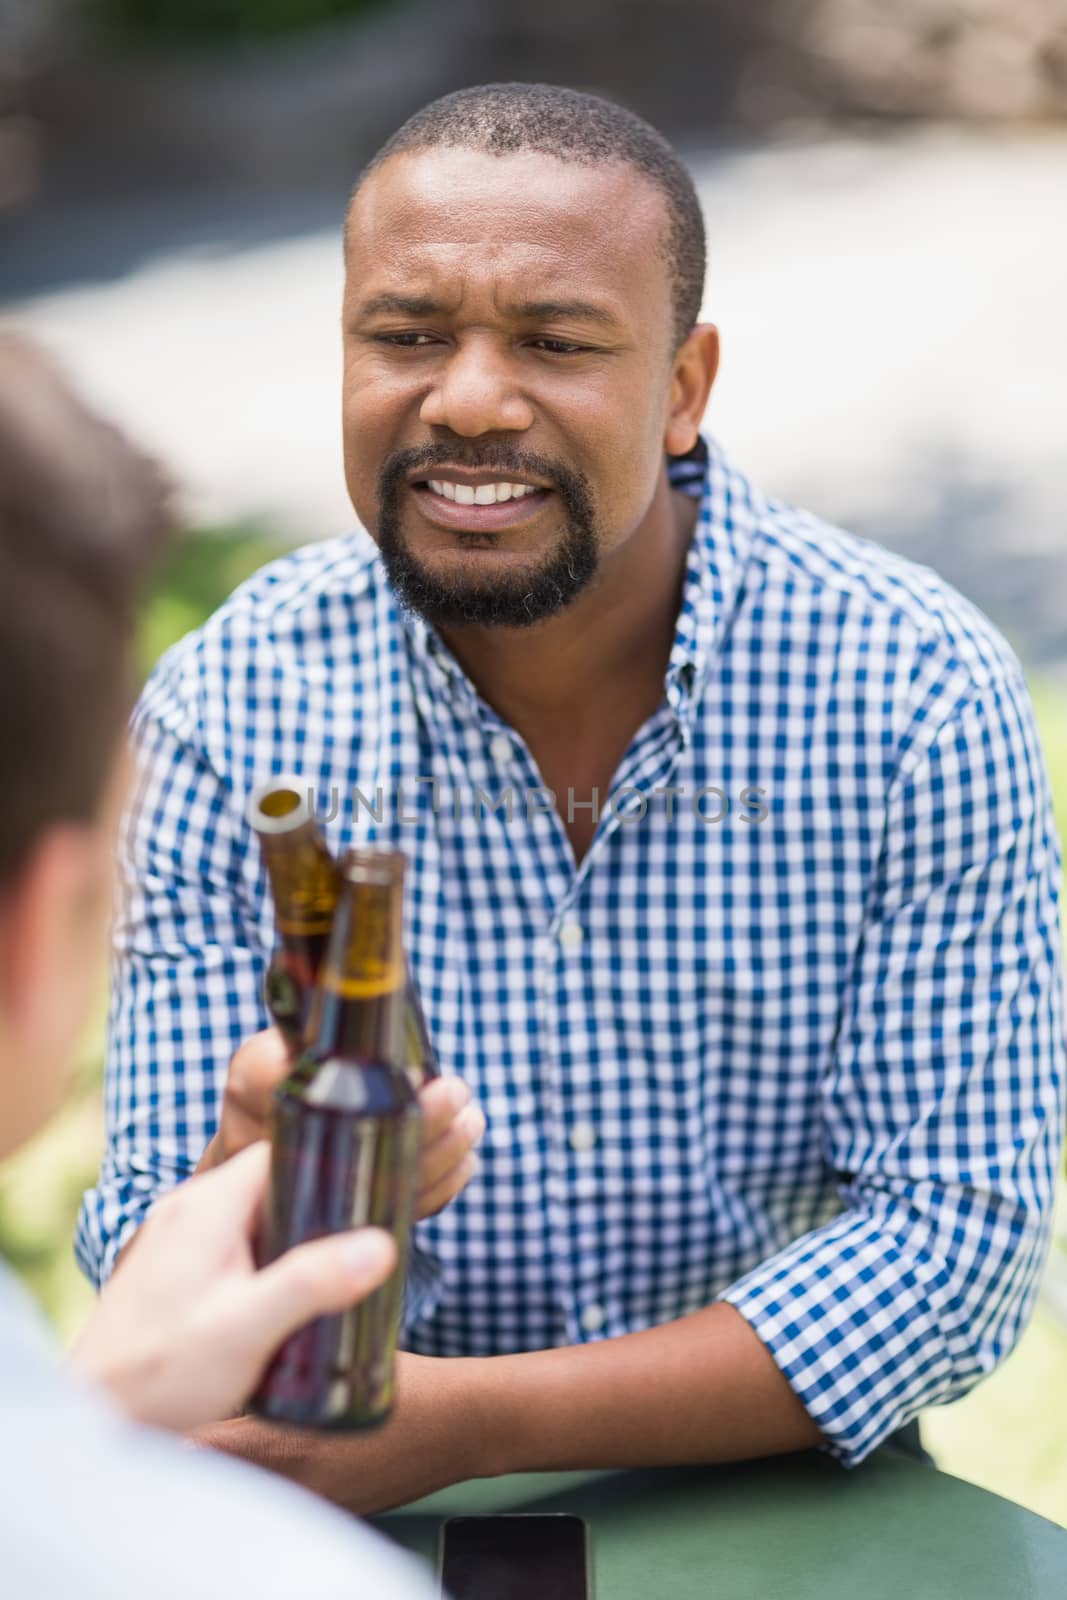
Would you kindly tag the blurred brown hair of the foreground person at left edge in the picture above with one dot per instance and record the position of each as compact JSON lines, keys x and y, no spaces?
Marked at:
{"x":82,"y":518}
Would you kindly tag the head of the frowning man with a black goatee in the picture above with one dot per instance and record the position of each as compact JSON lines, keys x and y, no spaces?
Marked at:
{"x":526,"y":270}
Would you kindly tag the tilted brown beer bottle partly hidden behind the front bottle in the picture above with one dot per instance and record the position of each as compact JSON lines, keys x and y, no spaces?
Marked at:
{"x":306,"y":886}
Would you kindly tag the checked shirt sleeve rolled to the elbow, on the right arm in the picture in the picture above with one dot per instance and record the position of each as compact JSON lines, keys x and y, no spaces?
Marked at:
{"x":943,"y":1103}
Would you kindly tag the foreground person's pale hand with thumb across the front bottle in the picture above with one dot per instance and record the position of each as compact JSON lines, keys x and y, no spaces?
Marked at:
{"x":185,"y":1332}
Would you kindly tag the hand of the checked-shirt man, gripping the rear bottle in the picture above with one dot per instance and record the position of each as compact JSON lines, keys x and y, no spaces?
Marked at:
{"x":450,"y":1126}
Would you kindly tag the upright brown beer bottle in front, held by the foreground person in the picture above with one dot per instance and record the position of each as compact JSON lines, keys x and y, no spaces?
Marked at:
{"x":346,"y":1153}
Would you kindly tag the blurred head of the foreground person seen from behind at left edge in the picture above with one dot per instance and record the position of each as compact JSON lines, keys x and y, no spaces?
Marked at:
{"x":82,"y":514}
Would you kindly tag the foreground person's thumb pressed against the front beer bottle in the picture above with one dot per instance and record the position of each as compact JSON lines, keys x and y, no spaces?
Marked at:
{"x":318,"y":1279}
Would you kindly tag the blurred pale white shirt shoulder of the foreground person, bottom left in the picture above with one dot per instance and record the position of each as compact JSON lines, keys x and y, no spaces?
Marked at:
{"x":94,"y":1506}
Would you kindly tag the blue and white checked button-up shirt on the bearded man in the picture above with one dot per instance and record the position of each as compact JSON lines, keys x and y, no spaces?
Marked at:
{"x":809,"y":1065}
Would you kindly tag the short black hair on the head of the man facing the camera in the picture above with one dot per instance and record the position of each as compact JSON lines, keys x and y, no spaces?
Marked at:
{"x":503,"y":119}
